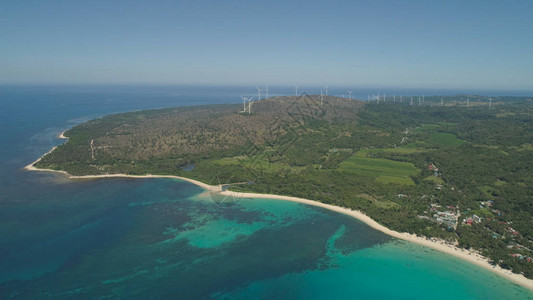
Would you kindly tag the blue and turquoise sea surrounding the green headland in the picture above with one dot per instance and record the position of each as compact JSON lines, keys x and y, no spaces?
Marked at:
{"x":163,"y":238}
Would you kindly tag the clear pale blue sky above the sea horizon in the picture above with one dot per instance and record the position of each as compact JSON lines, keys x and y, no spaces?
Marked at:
{"x":412,"y":44}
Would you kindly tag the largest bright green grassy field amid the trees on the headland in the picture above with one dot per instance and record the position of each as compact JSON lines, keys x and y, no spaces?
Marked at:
{"x":384,"y":170}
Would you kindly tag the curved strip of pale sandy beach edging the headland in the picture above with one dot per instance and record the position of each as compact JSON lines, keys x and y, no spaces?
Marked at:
{"x":436,"y":244}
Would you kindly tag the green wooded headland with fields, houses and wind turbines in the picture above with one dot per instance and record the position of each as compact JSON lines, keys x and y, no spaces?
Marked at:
{"x":459,"y":173}
